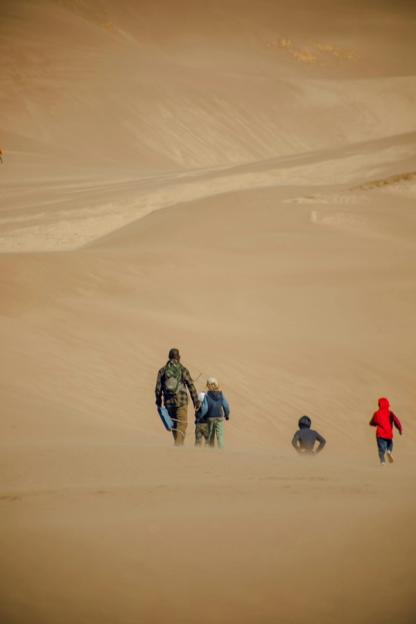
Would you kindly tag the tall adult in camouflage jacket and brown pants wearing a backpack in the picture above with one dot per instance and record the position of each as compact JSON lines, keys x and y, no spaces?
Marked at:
{"x":172,"y":386}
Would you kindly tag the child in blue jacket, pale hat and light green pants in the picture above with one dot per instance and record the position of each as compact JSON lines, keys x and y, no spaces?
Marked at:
{"x":214,"y":411}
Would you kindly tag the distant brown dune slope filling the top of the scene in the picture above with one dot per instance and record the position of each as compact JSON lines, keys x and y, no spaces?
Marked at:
{"x":195,"y":84}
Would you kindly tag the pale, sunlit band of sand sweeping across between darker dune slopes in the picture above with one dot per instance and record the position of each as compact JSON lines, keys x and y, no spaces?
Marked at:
{"x":86,"y":209}
